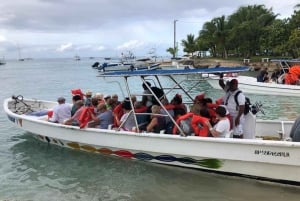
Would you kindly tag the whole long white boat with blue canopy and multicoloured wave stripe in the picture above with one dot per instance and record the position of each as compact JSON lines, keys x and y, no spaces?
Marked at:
{"x":269,"y":156}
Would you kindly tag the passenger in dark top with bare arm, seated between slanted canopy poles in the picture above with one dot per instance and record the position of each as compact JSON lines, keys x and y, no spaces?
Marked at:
{"x":157,"y":123}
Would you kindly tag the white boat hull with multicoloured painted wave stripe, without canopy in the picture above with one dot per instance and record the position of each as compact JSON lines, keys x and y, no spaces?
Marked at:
{"x":265,"y":159}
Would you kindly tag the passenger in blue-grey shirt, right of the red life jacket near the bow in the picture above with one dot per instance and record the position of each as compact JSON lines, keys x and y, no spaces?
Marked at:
{"x":104,"y":117}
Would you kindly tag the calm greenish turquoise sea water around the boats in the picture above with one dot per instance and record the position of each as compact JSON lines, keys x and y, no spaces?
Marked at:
{"x":33,"y":170}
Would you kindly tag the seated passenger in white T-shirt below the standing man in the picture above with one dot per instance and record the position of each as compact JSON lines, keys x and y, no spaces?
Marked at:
{"x":222,"y":128}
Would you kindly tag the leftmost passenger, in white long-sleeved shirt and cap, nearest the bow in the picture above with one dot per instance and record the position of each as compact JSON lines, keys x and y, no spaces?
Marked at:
{"x":61,"y":112}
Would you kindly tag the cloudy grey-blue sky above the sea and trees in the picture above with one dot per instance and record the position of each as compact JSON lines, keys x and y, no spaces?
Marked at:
{"x":108,"y":28}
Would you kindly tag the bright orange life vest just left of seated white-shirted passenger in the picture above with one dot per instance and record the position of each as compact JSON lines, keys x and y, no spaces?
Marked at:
{"x":202,"y":131}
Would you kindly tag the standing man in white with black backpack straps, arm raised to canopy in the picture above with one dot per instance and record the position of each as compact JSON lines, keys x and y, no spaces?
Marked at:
{"x":234,"y":100}
